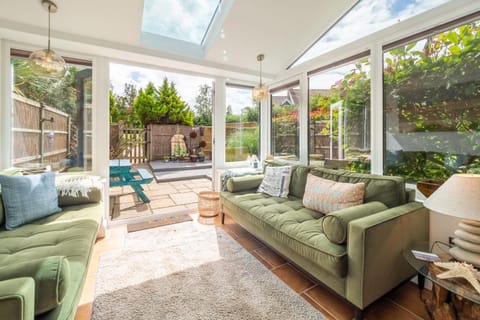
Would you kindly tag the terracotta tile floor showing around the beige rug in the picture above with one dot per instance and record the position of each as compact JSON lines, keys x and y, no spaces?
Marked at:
{"x":402,"y":303}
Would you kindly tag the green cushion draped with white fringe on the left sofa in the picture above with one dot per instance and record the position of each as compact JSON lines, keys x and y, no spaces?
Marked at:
{"x":74,"y":189}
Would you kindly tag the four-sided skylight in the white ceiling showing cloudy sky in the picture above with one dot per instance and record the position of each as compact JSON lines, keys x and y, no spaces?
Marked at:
{"x":186,"y":20}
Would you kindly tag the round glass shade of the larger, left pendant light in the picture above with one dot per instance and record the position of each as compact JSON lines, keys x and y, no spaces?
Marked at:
{"x":47,"y":63}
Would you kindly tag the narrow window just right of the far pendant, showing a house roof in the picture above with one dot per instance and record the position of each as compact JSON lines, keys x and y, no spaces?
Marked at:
{"x":285,"y":130}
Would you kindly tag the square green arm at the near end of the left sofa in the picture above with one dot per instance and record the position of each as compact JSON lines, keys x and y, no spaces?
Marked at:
{"x":17,"y":299}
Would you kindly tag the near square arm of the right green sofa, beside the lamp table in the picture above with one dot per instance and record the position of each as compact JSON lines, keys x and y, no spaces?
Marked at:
{"x":375,"y":245}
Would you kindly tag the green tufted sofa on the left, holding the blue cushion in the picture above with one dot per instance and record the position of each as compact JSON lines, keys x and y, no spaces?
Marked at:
{"x":43,"y":264}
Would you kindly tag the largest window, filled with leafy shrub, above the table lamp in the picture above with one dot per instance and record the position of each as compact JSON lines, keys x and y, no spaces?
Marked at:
{"x":432,"y":105}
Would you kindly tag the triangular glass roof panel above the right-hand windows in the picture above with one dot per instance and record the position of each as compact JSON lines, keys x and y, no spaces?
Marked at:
{"x":367,"y":17}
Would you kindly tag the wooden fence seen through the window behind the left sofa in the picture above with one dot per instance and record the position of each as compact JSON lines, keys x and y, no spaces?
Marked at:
{"x":40,"y":133}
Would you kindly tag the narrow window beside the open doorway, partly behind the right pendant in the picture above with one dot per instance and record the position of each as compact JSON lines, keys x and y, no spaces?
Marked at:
{"x":242,"y":120}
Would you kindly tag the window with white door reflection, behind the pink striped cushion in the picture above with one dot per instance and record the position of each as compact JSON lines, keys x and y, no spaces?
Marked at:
{"x":339,"y":116}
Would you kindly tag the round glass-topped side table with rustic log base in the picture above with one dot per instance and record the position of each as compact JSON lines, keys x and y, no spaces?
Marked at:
{"x":451,"y":299}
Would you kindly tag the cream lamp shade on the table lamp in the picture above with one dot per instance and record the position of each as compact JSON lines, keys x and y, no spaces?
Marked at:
{"x":459,"y":196}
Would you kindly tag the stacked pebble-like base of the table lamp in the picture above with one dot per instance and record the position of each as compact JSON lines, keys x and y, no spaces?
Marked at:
{"x":467,"y":242}
